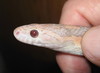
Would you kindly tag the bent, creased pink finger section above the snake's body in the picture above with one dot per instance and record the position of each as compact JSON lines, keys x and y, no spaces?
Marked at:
{"x":79,"y":12}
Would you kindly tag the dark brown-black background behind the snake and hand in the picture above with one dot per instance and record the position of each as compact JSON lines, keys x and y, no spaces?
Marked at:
{"x":16,"y":57}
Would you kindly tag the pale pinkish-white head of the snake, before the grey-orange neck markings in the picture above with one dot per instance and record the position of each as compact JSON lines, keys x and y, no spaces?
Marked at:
{"x":36,"y":34}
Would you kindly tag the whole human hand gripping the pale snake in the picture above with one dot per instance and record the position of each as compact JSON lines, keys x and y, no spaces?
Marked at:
{"x":85,"y":13}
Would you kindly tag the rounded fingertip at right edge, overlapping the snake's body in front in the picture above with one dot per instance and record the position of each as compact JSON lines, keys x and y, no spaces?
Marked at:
{"x":91,"y":45}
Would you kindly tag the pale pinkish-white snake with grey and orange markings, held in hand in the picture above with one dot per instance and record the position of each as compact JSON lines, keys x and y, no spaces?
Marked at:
{"x":58,"y":37}
